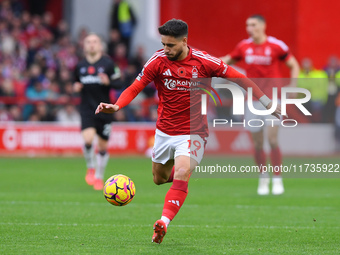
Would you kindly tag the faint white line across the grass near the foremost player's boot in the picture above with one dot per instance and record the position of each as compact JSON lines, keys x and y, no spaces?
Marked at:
{"x":172,"y":226}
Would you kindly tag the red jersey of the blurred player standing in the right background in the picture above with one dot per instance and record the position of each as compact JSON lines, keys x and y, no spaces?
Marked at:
{"x":262,"y":61}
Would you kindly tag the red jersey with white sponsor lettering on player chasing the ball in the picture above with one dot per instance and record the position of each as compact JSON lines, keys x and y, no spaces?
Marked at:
{"x":179,"y":109}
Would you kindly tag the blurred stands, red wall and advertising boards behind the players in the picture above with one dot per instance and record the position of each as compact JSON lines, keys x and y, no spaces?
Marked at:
{"x":41,"y":43}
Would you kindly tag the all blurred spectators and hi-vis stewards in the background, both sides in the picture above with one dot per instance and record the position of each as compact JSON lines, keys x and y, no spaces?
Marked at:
{"x":37,"y":60}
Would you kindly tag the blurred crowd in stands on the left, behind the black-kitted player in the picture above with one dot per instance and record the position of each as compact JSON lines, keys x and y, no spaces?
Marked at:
{"x":37,"y":61}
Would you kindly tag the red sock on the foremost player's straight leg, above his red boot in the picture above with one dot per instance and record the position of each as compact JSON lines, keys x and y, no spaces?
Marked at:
{"x":174,"y":199}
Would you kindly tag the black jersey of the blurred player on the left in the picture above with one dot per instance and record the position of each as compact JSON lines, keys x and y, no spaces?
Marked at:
{"x":94,"y":91}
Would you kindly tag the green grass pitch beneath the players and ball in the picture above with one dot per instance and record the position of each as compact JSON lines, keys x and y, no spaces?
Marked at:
{"x":47,"y":208}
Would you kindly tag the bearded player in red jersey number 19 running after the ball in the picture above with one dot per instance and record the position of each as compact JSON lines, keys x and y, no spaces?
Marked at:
{"x":172,"y":68}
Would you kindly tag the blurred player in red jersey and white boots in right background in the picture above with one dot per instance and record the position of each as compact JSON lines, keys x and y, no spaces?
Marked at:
{"x":263,"y":55}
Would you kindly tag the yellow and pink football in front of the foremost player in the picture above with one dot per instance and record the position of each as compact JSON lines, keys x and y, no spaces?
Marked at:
{"x":119,"y":190}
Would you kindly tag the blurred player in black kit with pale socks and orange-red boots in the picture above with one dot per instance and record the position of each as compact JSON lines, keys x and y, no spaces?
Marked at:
{"x":94,"y":77}
